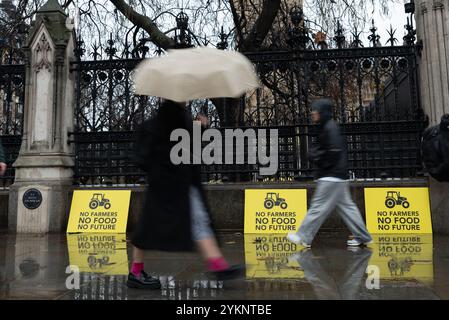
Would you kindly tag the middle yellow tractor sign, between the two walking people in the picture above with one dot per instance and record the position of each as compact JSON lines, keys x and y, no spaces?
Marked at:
{"x":274,"y":211}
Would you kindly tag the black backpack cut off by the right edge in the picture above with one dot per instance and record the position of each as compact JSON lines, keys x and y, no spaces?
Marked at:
{"x":435,"y":152}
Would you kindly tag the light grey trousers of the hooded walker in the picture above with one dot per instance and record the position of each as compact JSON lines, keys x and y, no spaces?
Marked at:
{"x":329,"y":196}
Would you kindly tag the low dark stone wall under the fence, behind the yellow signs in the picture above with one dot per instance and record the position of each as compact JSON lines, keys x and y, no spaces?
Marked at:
{"x":227,"y":203}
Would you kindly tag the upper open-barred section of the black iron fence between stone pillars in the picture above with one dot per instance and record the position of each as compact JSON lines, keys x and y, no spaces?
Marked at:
{"x":367,"y":84}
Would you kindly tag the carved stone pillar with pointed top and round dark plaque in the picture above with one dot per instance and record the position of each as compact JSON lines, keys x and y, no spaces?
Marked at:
{"x":46,"y":159}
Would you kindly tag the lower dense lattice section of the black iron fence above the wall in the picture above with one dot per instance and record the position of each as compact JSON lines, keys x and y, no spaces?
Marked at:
{"x":375,"y":150}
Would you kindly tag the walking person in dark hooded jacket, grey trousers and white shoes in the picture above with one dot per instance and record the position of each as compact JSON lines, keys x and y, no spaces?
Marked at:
{"x":330,"y":157}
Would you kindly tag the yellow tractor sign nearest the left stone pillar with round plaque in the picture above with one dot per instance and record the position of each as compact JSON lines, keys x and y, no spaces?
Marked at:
{"x":99,"y":211}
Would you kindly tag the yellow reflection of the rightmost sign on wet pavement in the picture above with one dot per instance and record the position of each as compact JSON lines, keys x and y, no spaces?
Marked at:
{"x":404,"y":257}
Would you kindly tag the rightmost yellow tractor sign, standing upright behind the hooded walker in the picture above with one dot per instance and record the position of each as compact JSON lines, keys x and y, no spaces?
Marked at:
{"x":398,"y":210}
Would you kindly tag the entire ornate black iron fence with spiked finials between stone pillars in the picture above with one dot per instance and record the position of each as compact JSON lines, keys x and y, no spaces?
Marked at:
{"x":375,"y":90}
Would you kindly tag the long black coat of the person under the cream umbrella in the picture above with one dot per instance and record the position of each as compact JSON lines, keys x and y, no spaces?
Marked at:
{"x":165,"y":221}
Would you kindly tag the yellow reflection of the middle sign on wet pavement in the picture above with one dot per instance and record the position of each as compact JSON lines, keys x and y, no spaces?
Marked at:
{"x":268,"y":256}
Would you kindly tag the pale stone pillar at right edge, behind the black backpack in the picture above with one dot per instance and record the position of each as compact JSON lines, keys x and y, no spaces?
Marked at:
{"x":432,"y":18}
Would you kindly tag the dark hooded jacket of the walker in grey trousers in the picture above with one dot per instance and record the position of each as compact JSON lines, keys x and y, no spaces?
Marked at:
{"x":329,"y":153}
